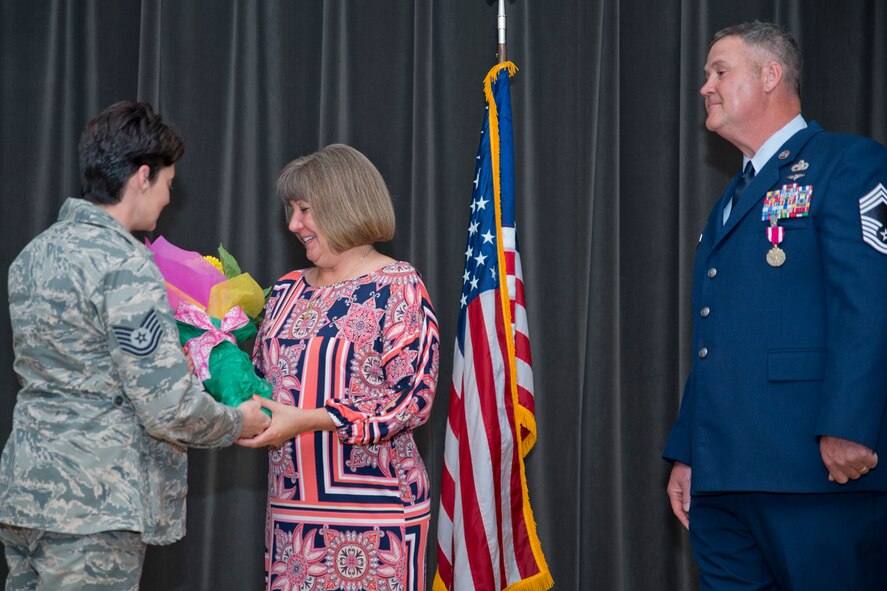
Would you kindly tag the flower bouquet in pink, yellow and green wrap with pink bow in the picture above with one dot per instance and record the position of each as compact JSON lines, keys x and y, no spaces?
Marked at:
{"x":216,"y":308}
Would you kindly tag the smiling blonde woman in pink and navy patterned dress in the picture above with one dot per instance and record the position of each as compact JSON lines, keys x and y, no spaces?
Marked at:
{"x":350,"y":346}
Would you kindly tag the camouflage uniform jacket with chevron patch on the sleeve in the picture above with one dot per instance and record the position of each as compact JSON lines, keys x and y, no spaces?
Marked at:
{"x":107,"y":404}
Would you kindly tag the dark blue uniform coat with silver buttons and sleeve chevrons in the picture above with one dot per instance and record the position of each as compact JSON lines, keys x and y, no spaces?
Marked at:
{"x":785,"y":354}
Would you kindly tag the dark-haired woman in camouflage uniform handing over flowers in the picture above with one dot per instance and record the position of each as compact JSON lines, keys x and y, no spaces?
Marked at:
{"x":95,"y":466}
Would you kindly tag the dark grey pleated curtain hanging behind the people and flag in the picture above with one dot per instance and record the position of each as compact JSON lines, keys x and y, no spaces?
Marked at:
{"x":615,"y":176}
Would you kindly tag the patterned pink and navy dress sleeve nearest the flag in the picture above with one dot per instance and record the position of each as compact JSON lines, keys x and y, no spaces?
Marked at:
{"x":410,"y":361}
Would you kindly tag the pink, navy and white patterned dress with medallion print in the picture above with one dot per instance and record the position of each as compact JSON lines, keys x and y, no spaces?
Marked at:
{"x":350,"y":509}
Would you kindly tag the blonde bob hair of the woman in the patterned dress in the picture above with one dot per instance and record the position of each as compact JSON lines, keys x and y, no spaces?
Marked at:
{"x":349,"y":200}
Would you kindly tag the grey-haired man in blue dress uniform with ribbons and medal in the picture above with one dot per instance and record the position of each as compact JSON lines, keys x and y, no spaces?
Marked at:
{"x":775,"y":451}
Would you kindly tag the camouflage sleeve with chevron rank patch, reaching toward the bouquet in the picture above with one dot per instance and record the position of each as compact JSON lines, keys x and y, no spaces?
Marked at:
{"x":167,"y":400}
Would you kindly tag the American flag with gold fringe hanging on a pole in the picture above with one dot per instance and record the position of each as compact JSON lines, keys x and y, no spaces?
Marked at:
{"x":486,"y":533}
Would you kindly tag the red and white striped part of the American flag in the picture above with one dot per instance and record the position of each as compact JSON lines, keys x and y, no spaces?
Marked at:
{"x":484,"y":518}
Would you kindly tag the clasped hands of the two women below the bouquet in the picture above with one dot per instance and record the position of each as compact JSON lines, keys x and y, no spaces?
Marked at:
{"x":285,"y":423}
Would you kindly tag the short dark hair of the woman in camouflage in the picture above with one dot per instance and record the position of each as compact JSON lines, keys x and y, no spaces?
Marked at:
{"x":117,"y":142}
